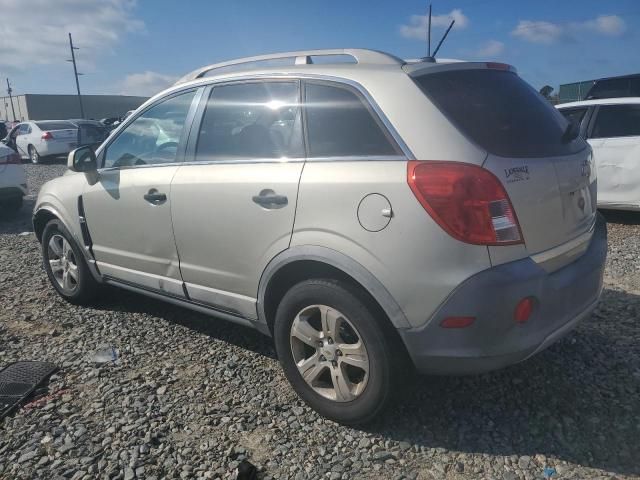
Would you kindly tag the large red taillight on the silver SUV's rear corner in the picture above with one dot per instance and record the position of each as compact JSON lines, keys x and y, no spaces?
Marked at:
{"x":467,"y":201}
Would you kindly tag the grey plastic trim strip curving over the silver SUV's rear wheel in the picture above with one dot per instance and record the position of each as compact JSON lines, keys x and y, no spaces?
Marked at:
{"x":341,"y":262}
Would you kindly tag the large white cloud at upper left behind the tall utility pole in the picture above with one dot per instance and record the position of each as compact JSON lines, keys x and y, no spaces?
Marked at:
{"x":35,"y":32}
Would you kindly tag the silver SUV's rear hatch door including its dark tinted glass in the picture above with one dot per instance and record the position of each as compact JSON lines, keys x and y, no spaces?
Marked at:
{"x":548,"y":175}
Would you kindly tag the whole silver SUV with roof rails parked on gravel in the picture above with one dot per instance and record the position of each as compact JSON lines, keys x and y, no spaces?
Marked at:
{"x":370,"y":216}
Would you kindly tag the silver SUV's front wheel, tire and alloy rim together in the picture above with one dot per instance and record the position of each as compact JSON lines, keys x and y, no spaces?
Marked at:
{"x":65,"y":265}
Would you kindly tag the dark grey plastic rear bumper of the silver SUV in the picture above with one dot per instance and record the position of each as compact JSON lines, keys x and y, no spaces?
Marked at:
{"x":495,"y":340}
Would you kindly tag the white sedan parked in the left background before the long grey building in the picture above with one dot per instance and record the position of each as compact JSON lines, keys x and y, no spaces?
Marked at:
{"x":44,"y":138}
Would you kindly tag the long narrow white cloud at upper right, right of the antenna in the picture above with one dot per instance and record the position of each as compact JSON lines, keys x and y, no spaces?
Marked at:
{"x":548,"y":32}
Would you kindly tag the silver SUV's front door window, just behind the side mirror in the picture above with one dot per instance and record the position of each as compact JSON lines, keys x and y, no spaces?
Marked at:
{"x":153,"y":137}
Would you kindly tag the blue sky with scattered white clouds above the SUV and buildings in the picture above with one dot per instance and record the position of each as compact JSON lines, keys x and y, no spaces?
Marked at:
{"x":140,"y":47}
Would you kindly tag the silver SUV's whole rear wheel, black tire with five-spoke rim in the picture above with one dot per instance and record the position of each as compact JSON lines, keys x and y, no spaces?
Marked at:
{"x":335,"y":350}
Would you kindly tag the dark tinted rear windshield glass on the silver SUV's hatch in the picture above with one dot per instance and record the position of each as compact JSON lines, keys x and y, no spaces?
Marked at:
{"x":500,"y":112}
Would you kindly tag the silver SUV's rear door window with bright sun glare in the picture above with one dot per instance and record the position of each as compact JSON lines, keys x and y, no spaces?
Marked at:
{"x":251,"y":121}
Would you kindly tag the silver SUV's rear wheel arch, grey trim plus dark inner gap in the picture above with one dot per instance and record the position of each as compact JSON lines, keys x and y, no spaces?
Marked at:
{"x":306,"y":262}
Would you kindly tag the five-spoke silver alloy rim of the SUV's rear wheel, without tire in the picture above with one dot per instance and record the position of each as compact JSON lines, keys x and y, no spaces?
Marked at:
{"x":329,"y":353}
